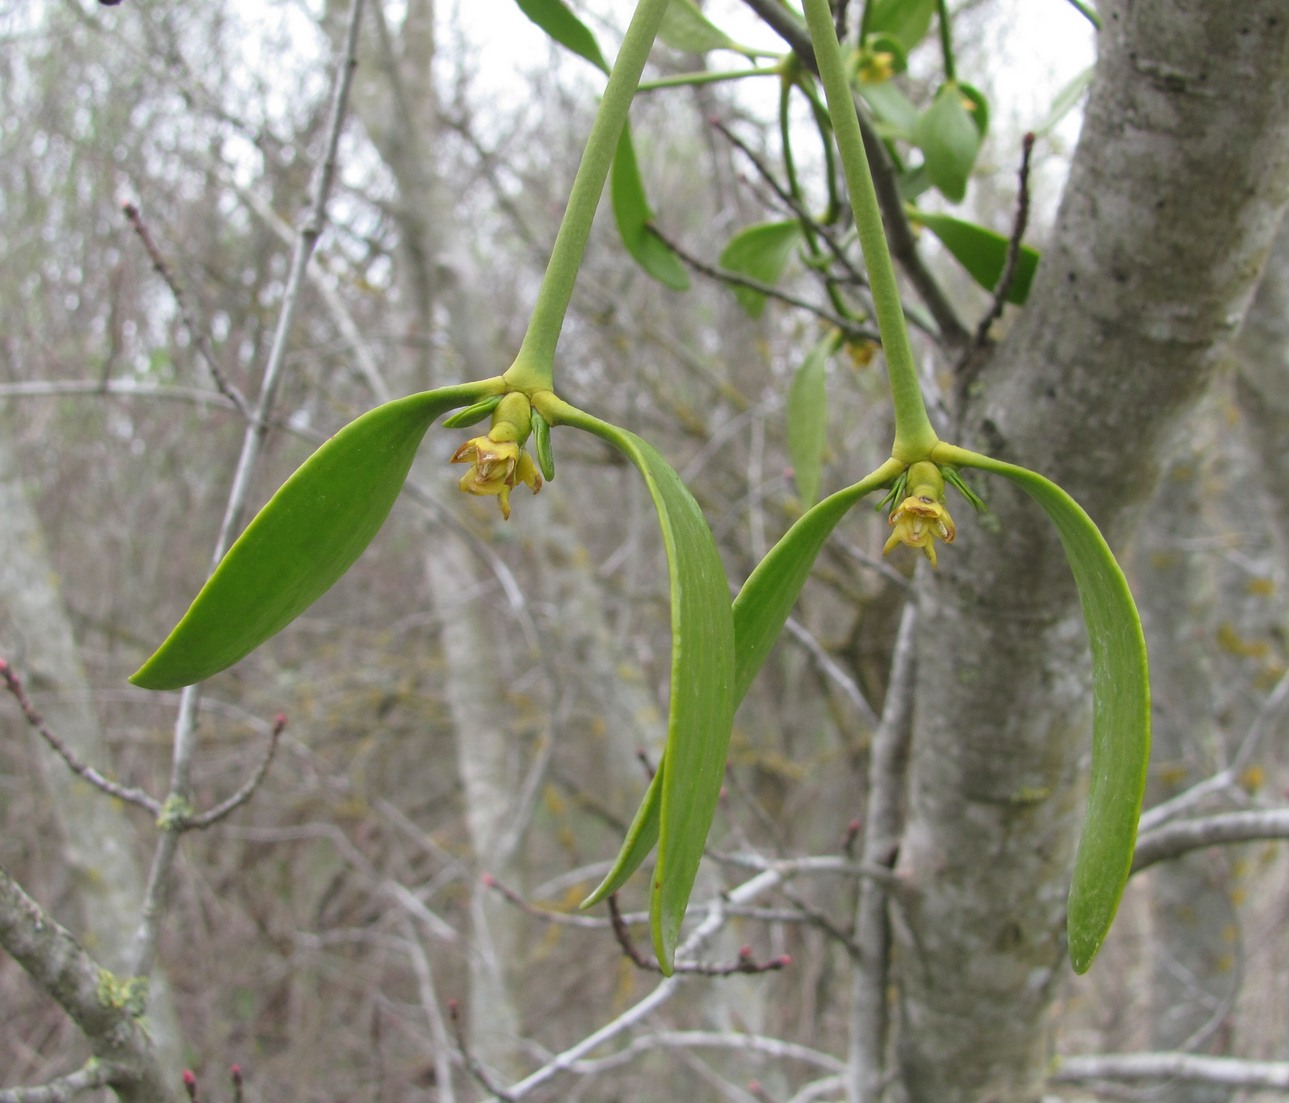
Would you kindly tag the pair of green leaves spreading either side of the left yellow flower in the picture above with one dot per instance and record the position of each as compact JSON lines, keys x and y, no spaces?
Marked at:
{"x":329,"y":511}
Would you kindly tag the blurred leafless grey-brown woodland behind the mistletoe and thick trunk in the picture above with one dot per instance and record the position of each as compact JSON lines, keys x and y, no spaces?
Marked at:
{"x":484,"y":698}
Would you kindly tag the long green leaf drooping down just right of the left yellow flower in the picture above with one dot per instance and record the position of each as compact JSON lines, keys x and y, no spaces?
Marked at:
{"x":702,"y":708}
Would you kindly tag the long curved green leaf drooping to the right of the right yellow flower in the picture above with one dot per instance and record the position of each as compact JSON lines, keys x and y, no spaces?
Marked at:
{"x":1121,"y":709}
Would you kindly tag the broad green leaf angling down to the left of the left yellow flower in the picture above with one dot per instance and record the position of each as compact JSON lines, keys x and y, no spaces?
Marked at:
{"x":304,"y":541}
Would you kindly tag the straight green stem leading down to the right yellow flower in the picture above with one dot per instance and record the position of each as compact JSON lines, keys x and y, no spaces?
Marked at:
{"x":915,"y":436}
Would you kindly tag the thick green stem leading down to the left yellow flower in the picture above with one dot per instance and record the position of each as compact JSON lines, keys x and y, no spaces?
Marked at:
{"x":534,"y":367}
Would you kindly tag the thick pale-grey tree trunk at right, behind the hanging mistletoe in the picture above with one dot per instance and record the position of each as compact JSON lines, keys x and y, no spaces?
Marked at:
{"x":1174,"y":198}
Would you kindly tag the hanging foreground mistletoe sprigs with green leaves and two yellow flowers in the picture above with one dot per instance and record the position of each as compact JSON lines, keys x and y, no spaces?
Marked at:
{"x":327,"y":513}
